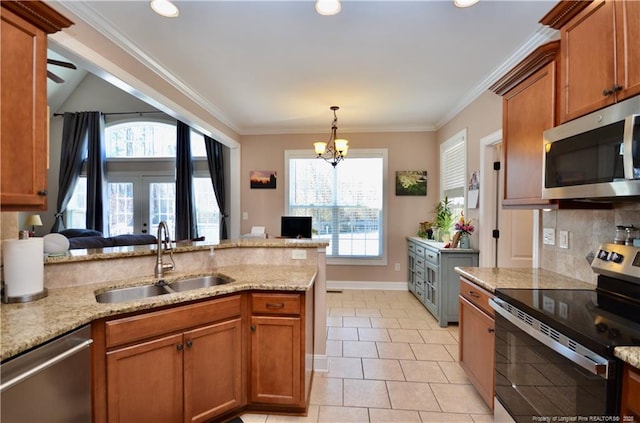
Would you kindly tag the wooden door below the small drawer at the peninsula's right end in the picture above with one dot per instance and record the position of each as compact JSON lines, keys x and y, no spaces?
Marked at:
{"x":275,"y":360}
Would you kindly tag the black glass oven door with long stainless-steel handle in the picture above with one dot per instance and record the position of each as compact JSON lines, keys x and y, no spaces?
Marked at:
{"x":537,"y":376}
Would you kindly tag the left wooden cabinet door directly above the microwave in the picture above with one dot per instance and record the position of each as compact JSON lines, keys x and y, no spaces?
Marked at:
{"x":588,"y":60}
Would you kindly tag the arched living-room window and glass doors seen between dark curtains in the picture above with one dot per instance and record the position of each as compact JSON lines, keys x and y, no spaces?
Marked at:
{"x":141,"y":182}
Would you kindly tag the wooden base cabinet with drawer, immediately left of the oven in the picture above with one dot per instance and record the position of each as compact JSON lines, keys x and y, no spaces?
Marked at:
{"x":477,"y":339}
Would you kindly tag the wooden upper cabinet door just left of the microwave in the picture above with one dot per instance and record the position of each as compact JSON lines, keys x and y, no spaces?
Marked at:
{"x":528,"y":110}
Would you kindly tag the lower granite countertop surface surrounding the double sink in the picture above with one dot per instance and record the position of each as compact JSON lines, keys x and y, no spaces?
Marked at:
{"x":28,"y":325}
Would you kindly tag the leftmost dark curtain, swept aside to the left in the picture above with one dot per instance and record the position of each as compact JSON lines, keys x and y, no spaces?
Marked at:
{"x":74,"y":147}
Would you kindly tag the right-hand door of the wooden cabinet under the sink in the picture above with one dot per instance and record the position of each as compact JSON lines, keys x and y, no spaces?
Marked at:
{"x":212,"y":370}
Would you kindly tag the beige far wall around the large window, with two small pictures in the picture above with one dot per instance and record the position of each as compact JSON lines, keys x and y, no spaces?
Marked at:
{"x":406,"y":151}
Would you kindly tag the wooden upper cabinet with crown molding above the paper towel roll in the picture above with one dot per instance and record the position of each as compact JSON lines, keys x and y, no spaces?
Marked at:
{"x":24,"y":151}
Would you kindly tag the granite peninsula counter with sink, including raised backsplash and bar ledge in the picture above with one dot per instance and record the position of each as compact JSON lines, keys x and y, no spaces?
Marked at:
{"x":268,"y":267}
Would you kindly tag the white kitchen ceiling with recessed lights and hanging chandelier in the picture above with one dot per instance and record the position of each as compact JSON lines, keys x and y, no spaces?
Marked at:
{"x":277,"y":66}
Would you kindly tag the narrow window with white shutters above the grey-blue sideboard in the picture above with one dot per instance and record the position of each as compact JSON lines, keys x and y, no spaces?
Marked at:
{"x":453,"y":170}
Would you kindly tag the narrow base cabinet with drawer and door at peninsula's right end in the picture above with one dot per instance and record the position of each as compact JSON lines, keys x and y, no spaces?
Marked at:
{"x":277,"y":350}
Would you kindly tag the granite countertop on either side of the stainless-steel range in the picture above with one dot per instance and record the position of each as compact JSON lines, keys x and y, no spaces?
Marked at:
{"x":491,"y":278}
